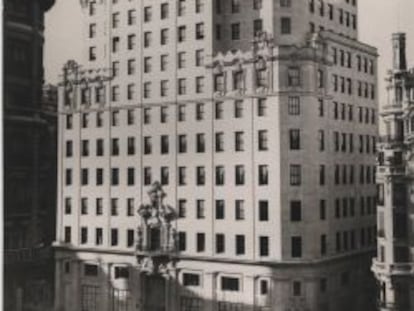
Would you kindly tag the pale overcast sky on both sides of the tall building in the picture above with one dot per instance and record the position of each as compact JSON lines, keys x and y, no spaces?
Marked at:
{"x":378,"y":19}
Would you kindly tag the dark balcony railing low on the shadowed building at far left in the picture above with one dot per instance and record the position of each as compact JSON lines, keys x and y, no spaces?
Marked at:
{"x":27,"y":255}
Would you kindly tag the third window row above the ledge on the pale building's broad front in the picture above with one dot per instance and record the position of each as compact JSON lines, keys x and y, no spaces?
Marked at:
{"x":200,"y":178}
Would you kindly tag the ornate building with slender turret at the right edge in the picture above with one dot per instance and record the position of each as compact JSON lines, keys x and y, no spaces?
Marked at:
{"x":393,"y":266}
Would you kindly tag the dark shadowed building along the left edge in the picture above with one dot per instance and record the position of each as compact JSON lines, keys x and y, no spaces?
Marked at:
{"x":29,"y":161}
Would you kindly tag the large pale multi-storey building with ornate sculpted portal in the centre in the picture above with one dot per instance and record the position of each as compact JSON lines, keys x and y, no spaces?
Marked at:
{"x":258,"y":121}
